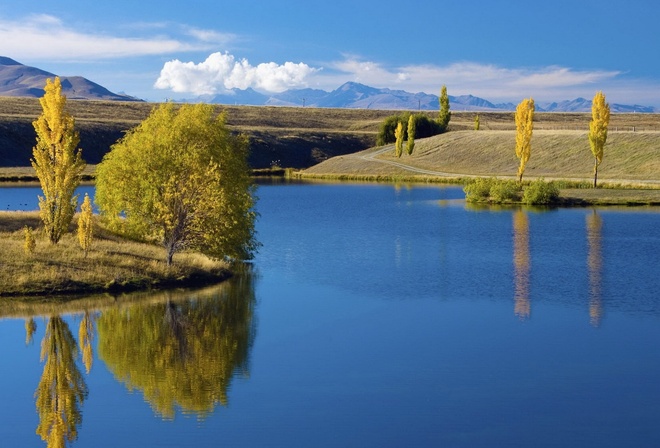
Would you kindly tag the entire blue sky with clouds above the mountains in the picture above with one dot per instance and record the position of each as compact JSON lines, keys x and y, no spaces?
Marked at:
{"x":500,"y":50}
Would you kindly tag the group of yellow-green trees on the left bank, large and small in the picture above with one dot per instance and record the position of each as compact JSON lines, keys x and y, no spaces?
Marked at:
{"x":179,"y":178}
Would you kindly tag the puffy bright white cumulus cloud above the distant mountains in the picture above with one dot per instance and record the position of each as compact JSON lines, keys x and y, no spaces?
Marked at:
{"x":221,"y":71}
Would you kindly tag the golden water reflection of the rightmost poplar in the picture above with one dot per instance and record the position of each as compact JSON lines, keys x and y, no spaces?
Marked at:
{"x":595,"y":265}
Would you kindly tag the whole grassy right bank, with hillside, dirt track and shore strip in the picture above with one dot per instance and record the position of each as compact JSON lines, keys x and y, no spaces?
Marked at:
{"x":631,"y":164}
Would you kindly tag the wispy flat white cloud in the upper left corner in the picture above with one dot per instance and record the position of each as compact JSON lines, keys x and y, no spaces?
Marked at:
{"x":47,"y":37}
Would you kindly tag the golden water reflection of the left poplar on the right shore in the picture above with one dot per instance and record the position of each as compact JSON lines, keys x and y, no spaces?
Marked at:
{"x":521,"y":263}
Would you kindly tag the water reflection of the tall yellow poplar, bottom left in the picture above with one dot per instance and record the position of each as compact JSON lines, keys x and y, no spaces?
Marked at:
{"x":62,"y":388}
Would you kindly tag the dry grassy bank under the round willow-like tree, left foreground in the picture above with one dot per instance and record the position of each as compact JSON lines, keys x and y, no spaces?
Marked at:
{"x":113,"y":264}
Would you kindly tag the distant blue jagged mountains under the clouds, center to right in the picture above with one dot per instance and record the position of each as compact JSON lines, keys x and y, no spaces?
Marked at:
{"x":352,"y":95}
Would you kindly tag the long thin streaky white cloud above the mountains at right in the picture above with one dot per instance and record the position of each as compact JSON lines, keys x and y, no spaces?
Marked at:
{"x":489,"y":81}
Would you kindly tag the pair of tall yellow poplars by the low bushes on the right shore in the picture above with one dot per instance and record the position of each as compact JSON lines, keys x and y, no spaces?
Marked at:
{"x":600,"y":119}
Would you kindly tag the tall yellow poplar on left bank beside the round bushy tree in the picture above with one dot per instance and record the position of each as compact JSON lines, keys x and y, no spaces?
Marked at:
{"x":56,"y":161}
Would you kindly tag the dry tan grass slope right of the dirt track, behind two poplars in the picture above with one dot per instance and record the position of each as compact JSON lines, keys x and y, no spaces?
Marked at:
{"x":565,"y":154}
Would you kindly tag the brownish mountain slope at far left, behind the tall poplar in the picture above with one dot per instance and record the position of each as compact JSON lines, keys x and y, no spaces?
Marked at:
{"x":21,"y":80}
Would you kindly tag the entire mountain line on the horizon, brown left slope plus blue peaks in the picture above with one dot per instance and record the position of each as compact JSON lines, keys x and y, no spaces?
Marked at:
{"x":17,"y":79}
